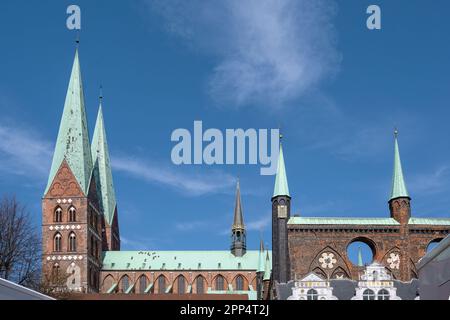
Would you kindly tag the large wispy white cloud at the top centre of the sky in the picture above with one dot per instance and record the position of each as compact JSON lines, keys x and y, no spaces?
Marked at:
{"x":269,"y":52}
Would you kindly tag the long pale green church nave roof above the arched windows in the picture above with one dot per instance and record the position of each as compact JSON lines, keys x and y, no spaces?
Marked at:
{"x":180,"y":260}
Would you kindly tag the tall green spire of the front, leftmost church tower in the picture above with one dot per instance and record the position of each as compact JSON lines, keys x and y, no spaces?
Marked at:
{"x":72,"y":143}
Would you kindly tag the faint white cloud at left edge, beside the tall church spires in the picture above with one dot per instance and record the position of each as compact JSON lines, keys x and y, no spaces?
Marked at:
{"x":23,"y":152}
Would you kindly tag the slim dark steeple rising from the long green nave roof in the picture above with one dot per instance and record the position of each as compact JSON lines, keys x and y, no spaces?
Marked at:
{"x":238,"y":234}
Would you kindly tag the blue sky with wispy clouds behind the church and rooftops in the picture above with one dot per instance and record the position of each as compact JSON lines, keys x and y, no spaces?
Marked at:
{"x":336,"y":89}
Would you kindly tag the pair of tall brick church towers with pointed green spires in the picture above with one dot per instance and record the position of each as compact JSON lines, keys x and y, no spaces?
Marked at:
{"x":79,"y":214}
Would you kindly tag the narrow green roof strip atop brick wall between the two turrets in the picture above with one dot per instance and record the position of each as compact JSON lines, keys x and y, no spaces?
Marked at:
{"x":342,"y":221}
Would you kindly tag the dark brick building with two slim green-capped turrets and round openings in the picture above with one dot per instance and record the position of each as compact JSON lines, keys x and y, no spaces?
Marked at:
{"x":302,"y":245}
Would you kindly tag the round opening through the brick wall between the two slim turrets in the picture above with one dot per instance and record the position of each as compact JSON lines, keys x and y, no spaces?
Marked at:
{"x":361,"y":251}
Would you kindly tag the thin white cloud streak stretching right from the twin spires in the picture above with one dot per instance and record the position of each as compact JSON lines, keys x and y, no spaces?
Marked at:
{"x":189,"y":183}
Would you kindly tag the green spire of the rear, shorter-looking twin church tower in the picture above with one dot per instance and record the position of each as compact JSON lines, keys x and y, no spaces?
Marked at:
{"x":102,"y":169}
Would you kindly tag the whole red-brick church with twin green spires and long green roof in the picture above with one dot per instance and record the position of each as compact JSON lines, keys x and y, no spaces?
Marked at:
{"x":81,"y":234}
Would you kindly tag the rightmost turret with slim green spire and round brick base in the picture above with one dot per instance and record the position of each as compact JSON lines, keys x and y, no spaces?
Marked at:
{"x":399,"y":202}
